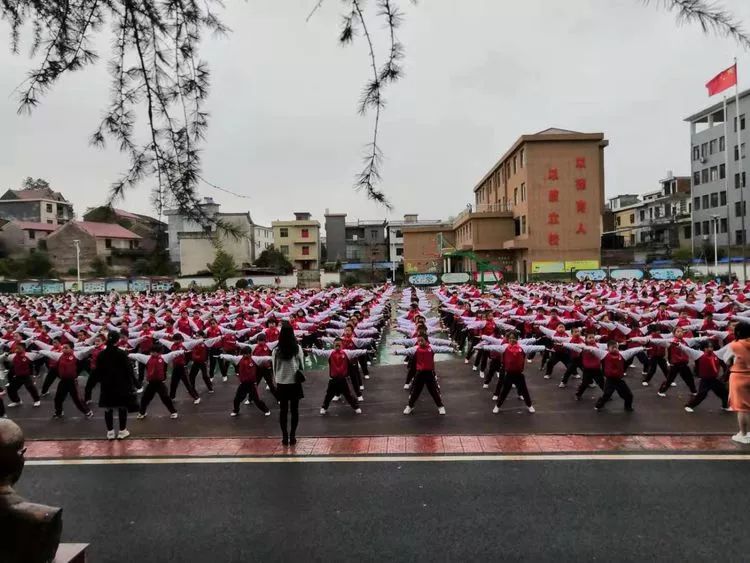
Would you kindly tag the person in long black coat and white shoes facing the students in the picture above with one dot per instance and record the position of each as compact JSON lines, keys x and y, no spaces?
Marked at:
{"x":117,"y":386}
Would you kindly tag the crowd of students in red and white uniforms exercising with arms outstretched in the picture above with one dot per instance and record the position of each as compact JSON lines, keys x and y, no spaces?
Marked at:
{"x":595,"y":331}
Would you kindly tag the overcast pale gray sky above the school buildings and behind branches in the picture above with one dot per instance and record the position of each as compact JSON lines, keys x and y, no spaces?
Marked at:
{"x":479,"y":73}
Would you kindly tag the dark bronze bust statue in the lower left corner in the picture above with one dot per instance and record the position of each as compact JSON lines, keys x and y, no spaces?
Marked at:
{"x":29,"y":533}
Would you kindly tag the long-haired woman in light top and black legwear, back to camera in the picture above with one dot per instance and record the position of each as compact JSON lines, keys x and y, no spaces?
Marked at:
{"x":288,"y":364}
